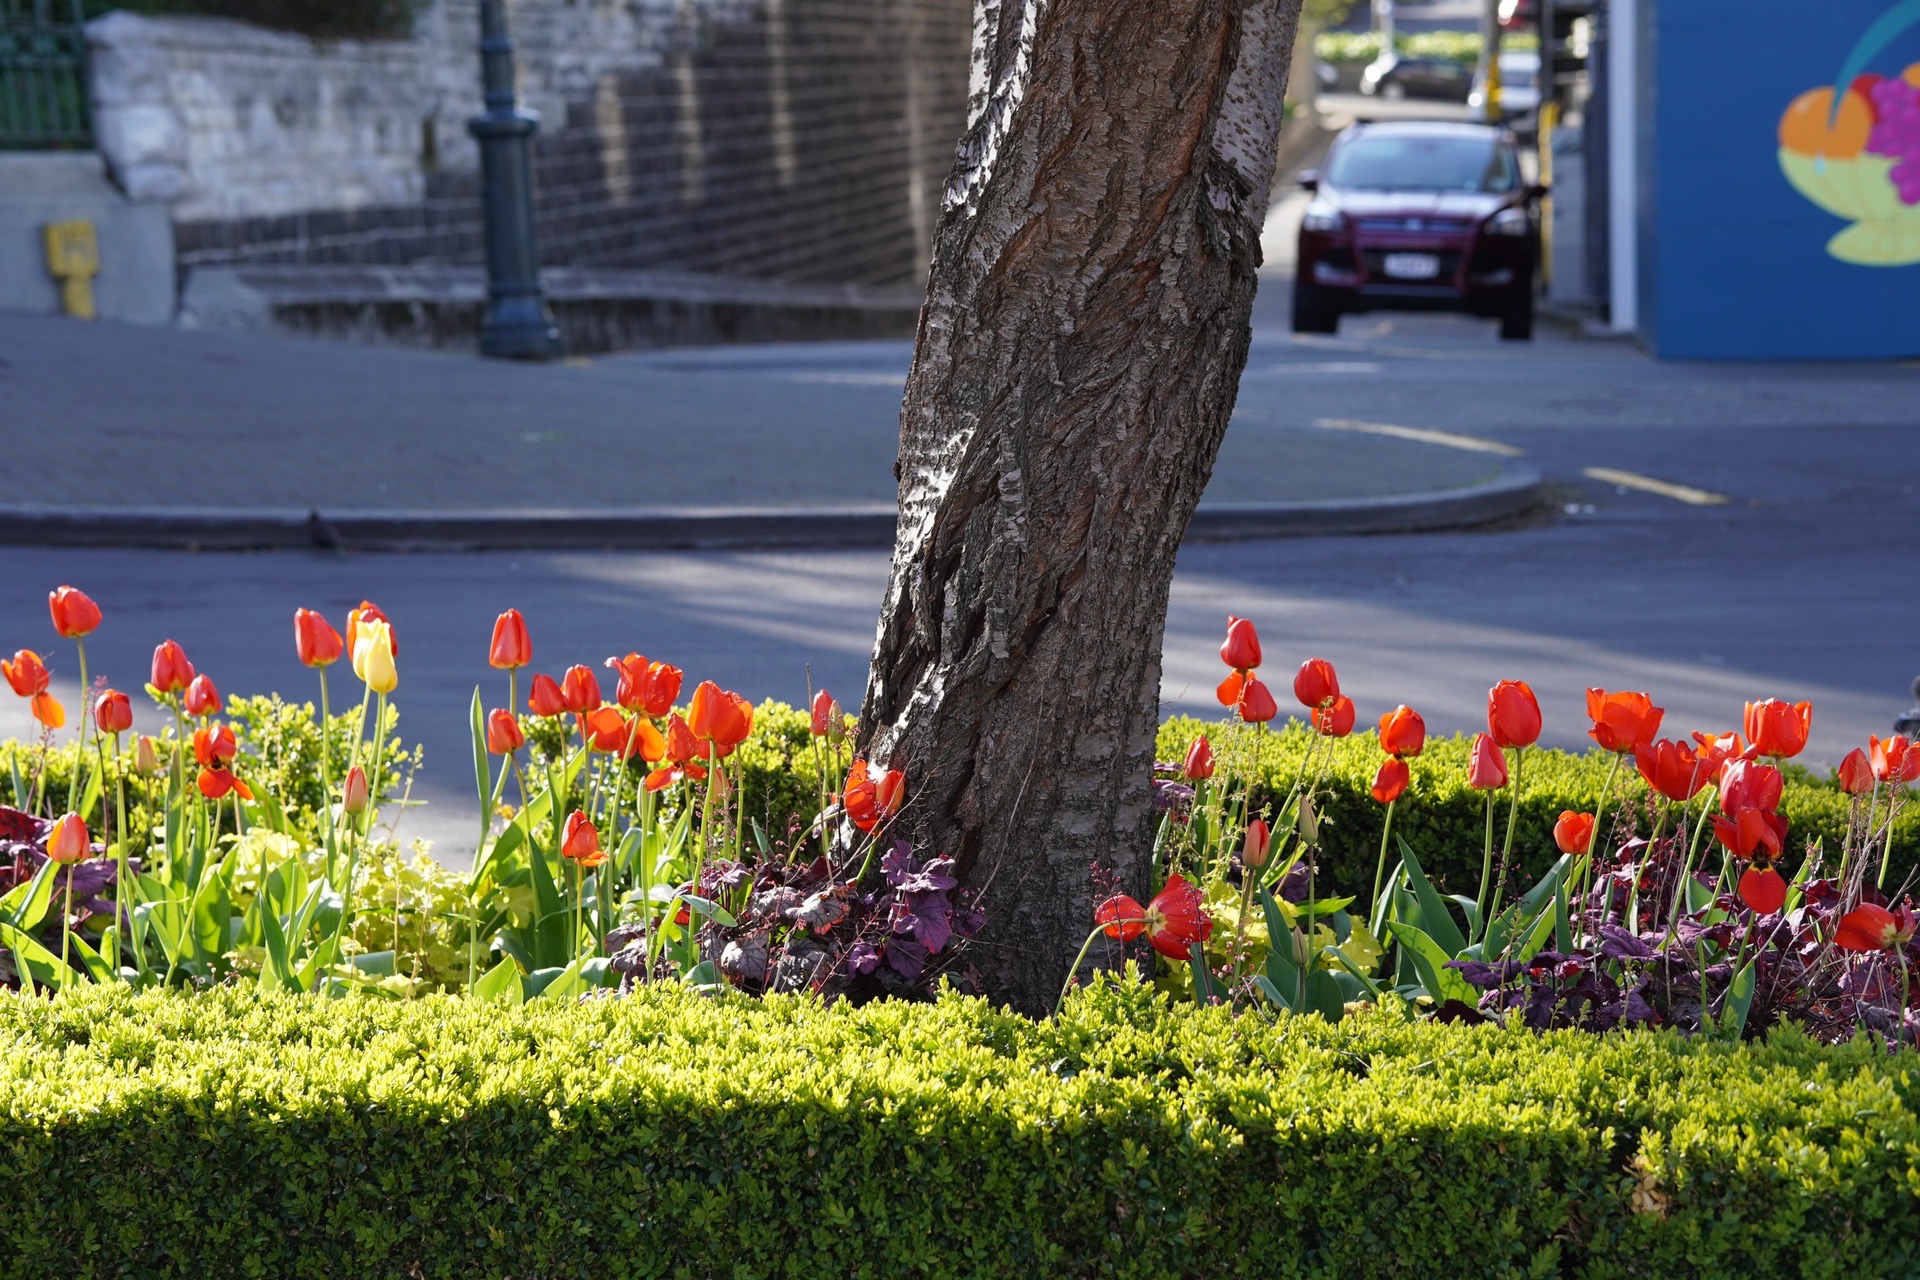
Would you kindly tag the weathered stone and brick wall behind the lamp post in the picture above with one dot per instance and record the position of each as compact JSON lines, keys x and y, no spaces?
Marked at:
{"x":769,"y":139}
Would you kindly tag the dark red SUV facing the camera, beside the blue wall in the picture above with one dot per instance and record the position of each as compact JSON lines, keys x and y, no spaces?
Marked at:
{"x":1420,"y":218}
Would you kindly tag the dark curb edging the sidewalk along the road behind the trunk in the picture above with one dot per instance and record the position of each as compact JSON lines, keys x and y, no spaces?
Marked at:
{"x":692,"y":529}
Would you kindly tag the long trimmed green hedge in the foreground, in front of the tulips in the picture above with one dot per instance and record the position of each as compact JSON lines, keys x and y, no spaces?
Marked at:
{"x":667,"y":1135}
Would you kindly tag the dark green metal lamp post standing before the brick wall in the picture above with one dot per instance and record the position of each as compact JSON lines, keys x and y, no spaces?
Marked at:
{"x":517,"y":320}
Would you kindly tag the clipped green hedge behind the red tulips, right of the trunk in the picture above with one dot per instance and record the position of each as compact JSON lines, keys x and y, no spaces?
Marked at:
{"x":1447,"y":822}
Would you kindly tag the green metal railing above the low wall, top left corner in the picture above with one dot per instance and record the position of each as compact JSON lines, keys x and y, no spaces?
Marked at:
{"x":43,"y":76}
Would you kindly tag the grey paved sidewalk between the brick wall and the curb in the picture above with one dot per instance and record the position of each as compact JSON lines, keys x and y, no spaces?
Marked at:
{"x":103,"y":419}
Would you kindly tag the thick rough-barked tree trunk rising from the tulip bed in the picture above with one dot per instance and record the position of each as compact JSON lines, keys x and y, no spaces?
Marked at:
{"x":1076,"y":366}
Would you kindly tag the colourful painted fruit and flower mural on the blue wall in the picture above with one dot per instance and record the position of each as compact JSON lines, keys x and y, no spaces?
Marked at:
{"x":1854,"y":149}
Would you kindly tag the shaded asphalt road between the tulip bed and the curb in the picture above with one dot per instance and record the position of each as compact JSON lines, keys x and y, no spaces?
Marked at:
{"x":1752,"y":536}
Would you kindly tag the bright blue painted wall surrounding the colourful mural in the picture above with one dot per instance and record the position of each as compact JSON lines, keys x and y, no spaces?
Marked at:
{"x":1739,"y":258}
